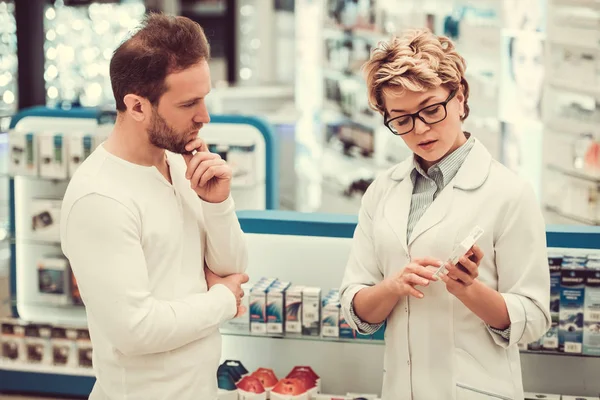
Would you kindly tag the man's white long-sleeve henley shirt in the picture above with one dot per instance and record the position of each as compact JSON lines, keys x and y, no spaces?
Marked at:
{"x":137,"y":246}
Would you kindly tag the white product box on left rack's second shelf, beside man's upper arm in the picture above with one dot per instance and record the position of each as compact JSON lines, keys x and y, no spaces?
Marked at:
{"x":45,"y":219}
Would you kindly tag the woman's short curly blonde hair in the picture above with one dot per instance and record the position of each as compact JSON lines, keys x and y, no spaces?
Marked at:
{"x":416,"y":61}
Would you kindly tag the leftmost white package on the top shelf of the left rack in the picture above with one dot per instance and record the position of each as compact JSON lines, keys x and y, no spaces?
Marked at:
{"x":23,"y":149}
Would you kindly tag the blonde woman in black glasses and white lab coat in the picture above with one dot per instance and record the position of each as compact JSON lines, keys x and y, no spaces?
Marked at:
{"x":454,"y":337}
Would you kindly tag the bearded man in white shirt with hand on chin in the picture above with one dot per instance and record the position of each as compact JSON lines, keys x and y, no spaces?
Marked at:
{"x":144,"y":215}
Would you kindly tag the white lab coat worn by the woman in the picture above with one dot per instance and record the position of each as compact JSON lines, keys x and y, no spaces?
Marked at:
{"x":436,"y":348}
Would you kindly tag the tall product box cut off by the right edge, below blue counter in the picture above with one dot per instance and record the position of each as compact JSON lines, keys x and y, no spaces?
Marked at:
{"x":591,"y":318}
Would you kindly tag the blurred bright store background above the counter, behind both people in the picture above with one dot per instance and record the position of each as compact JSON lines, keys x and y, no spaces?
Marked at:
{"x":533,"y":68}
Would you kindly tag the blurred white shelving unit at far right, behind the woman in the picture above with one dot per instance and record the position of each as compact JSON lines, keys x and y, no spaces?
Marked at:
{"x":571,"y":167}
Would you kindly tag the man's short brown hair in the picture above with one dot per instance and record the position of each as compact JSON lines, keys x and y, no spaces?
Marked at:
{"x":162,"y":45}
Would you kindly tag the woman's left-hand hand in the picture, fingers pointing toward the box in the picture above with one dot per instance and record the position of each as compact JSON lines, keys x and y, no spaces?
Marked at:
{"x":413,"y":274}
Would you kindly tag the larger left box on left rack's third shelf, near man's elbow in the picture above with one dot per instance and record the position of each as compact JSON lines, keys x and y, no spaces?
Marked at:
{"x":54,"y":279}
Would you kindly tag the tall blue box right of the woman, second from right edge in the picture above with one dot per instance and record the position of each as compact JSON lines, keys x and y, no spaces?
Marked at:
{"x":572,"y":292}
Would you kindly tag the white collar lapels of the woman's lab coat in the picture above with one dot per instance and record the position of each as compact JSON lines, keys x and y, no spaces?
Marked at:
{"x":472,"y":174}
